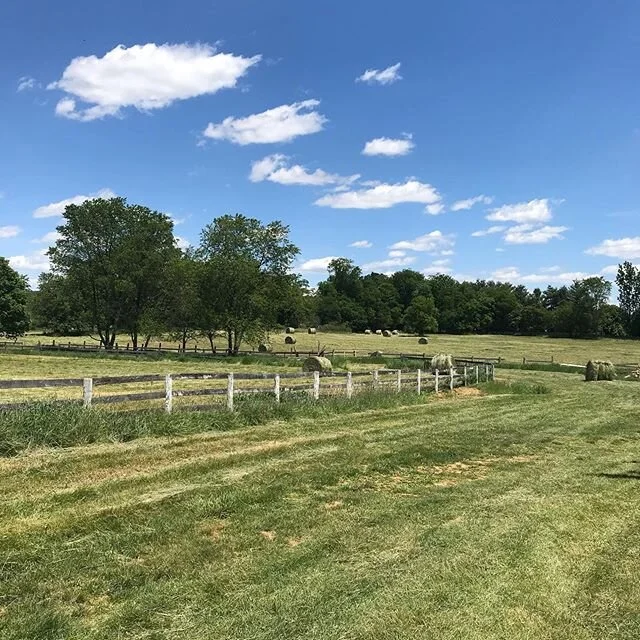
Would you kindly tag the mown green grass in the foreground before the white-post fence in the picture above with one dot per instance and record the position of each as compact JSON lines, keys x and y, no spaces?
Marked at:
{"x":499,"y":517}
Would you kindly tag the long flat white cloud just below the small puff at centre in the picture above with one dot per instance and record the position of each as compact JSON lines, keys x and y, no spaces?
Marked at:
{"x":382,"y":196}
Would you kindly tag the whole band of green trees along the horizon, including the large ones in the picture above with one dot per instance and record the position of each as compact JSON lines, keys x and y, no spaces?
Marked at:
{"x":117,"y":271}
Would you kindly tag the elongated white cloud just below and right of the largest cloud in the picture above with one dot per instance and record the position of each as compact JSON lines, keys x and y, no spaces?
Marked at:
{"x":280,"y":124}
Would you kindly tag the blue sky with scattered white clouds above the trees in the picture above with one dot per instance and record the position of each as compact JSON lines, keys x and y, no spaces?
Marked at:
{"x":486,"y":140}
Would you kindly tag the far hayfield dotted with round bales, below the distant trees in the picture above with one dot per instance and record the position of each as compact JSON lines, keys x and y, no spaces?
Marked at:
{"x":510,"y":348}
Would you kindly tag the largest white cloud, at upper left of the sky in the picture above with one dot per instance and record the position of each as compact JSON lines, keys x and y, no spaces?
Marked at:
{"x":146,"y":77}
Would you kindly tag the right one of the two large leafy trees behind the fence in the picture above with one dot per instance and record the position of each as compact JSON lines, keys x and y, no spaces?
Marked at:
{"x":246,"y":279}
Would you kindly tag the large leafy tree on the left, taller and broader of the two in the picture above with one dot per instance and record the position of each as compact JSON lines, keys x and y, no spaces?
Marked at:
{"x":115,"y":256}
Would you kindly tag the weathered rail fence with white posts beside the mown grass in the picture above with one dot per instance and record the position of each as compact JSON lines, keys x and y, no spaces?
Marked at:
{"x":345,"y":383}
